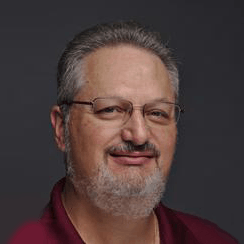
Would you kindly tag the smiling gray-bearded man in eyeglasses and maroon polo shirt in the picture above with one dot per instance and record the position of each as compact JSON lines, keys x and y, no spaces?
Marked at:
{"x":115,"y":121}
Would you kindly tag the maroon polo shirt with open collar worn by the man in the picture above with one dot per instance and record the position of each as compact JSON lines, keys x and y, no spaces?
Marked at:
{"x":175,"y":227}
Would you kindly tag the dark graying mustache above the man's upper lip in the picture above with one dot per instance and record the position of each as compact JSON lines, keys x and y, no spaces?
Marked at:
{"x":131,"y":147}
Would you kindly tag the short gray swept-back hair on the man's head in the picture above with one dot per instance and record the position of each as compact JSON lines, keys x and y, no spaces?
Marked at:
{"x":70,"y":75}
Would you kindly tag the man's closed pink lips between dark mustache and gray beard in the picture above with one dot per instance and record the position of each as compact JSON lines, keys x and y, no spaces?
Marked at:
{"x":132,"y":158}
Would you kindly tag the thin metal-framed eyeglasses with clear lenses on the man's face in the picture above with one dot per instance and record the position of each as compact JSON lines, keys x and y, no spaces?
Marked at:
{"x":116,"y":111}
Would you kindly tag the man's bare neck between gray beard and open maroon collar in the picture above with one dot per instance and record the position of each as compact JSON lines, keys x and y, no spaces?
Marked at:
{"x":95,"y":226}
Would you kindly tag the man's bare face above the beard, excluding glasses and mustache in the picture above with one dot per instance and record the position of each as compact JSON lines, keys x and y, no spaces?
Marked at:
{"x":135,"y":75}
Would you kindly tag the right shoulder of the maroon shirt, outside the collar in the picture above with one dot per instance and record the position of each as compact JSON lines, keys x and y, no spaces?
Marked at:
{"x":205,"y":231}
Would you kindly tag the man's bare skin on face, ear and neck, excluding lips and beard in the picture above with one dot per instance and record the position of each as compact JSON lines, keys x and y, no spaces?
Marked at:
{"x":140,"y":77}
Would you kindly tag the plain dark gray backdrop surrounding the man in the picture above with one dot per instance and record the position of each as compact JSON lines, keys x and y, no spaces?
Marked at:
{"x":207,"y":38}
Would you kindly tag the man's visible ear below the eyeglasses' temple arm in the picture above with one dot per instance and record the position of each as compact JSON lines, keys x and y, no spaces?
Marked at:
{"x":57,"y":122}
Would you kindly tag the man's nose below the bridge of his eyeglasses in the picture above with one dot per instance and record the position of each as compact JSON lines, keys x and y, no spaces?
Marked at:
{"x":135,"y":129}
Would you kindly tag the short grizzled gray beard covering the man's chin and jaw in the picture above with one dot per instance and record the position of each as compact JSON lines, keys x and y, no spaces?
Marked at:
{"x":129,"y":194}
